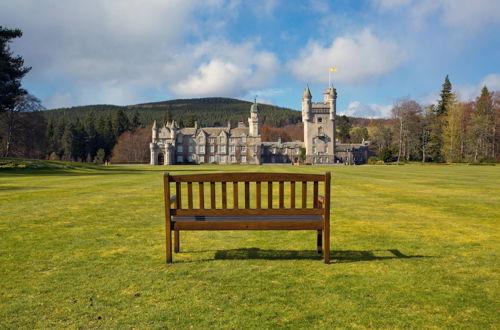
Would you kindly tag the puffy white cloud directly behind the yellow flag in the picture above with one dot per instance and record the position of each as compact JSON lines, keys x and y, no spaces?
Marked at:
{"x":357,"y":57}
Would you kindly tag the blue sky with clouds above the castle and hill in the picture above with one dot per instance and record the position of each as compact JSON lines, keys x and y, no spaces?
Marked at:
{"x":127,"y":52}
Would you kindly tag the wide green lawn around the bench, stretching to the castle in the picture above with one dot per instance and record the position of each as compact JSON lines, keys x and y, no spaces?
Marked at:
{"x":413,"y":246}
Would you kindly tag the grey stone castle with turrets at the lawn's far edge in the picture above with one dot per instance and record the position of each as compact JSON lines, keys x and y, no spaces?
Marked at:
{"x":243,"y":144}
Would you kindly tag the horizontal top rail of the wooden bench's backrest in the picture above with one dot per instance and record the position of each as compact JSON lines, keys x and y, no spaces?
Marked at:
{"x":243,"y":177}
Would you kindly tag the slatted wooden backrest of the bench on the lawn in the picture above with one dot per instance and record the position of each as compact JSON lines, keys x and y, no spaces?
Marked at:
{"x":231,"y":194}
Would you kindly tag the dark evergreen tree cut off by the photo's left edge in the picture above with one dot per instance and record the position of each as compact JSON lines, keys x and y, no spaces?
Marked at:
{"x":12,"y":70}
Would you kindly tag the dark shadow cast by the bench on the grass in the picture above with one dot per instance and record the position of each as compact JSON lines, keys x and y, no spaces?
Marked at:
{"x":336,"y":256}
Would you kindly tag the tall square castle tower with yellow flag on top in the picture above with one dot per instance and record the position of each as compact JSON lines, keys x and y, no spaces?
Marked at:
{"x":319,"y":127}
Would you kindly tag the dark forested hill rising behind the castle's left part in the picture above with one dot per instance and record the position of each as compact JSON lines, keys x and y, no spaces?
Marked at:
{"x":213,"y":111}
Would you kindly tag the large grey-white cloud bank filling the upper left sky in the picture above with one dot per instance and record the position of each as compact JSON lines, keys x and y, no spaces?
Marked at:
{"x":107,"y":51}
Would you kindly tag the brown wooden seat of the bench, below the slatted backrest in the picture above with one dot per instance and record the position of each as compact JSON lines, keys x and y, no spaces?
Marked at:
{"x":255,"y":222}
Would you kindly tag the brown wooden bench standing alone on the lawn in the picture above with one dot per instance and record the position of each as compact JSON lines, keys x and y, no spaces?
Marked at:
{"x":279,"y":212}
